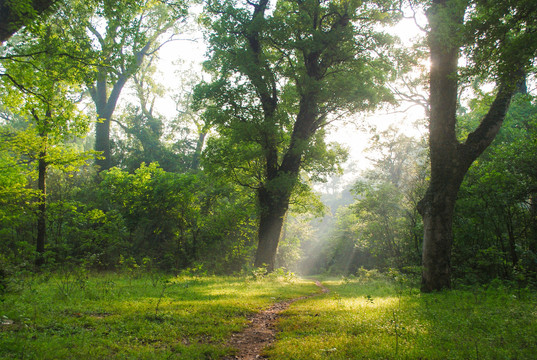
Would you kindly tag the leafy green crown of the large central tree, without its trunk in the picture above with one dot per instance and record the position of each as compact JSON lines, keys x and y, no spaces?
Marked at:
{"x":242,"y":124}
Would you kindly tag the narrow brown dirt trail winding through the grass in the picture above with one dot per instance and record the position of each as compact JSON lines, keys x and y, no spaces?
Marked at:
{"x":261,"y":331}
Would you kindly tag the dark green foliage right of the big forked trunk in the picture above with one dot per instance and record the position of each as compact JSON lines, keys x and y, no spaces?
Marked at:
{"x":495,"y":223}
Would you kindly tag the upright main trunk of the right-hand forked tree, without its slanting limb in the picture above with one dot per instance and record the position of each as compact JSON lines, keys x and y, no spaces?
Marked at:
{"x":438,"y":205}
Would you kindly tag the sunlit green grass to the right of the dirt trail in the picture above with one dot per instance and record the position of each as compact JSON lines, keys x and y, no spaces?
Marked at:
{"x":379,"y":320}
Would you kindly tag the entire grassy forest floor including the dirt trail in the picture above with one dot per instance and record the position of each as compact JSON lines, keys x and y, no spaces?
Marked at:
{"x":70,"y":315}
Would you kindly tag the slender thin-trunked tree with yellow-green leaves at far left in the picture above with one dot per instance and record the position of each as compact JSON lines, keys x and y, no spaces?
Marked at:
{"x":41,"y":82}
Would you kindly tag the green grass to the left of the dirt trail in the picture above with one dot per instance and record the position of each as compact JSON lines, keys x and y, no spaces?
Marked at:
{"x":111,"y":316}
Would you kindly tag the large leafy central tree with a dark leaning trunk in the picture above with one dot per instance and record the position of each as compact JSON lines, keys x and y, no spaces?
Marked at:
{"x":281,"y":77}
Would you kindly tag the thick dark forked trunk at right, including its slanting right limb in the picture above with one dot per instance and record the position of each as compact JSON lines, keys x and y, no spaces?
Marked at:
{"x":450,"y":159}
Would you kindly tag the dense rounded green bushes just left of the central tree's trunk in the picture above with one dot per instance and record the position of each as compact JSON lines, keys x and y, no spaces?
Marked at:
{"x":172,"y":217}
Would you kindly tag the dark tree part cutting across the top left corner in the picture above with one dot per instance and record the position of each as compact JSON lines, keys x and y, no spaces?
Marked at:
{"x":14,"y":15}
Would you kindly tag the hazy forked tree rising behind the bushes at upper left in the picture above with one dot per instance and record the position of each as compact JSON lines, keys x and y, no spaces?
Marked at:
{"x":123,"y":33}
